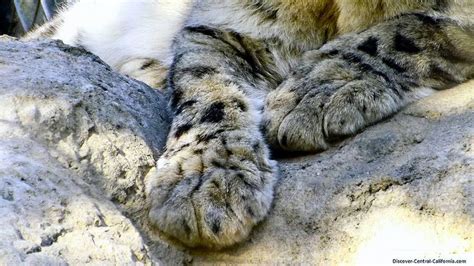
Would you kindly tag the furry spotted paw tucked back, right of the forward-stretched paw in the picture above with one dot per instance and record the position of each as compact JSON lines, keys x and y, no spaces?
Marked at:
{"x":327,"y":102}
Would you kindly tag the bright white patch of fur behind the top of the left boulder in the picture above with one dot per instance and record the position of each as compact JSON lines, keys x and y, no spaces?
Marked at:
{"x":121,"y":31}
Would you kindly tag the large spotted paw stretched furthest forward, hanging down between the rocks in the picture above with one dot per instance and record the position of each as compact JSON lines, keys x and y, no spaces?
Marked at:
{"x":210,"y":191}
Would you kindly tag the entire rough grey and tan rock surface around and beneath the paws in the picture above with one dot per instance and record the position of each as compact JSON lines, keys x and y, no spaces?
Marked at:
{"x":77,"y":140}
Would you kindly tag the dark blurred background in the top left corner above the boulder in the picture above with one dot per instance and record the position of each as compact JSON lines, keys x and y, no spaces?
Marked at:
{"x":19,"y":16}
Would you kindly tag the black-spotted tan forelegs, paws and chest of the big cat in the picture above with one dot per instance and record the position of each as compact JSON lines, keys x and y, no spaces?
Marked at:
{"x":307,"y":72}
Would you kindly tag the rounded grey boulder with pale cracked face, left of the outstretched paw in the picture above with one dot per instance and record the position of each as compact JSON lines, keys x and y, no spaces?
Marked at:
{"x":75,"y":138}
